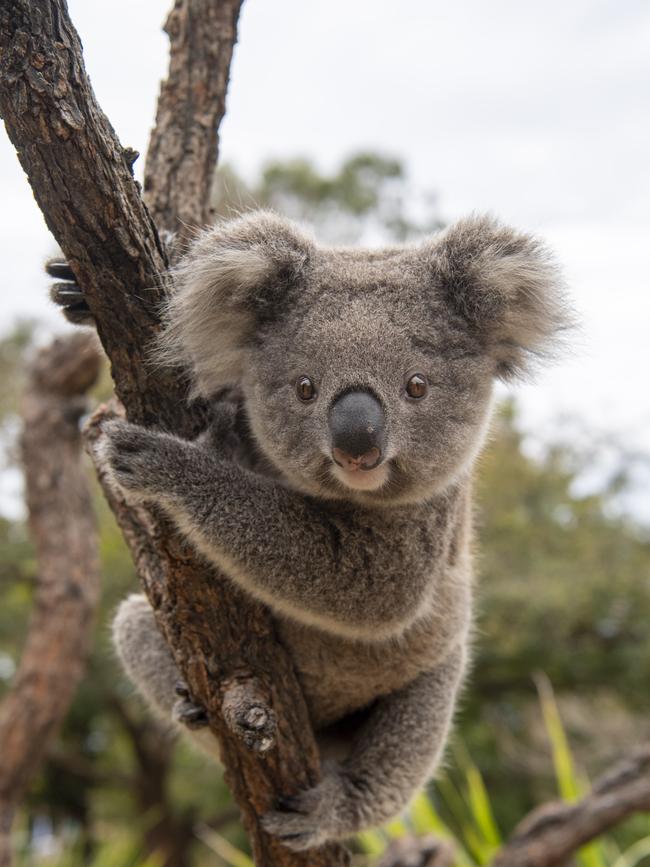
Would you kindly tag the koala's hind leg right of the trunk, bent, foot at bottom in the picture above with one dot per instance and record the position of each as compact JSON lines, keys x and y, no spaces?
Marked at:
{"x":394,"y":753}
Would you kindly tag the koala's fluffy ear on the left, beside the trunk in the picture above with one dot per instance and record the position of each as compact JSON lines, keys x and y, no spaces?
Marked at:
{"x":235,"y":276}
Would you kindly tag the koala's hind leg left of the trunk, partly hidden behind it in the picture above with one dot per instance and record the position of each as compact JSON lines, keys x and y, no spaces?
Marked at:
{"x":148,"y":663}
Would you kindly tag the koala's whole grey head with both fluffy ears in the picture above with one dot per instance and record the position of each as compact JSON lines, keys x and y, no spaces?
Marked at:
{"x":367,"y":374}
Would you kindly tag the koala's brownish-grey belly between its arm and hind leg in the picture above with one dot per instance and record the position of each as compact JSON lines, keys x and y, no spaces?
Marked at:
{"x":340,"y":676}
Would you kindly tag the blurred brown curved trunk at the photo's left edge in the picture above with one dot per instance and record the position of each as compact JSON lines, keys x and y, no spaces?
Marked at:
{"x":64,"y":533}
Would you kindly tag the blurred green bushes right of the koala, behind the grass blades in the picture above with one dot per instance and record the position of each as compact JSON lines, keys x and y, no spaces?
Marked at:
{"x":564,"y":588}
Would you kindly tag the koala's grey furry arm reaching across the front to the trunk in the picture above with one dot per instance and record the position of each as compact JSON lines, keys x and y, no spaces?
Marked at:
{"x":278,"y":544}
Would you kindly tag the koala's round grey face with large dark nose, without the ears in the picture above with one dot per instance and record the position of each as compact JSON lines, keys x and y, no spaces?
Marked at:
{"x":362,"y":391}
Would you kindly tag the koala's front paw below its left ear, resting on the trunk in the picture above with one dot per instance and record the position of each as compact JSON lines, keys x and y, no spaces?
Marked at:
{"x":141,"y":463}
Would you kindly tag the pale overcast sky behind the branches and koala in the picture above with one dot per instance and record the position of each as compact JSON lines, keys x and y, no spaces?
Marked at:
{"x":536,"y":112}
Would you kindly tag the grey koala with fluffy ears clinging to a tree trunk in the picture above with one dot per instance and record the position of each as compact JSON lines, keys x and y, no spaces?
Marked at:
{"x":351,"y":393}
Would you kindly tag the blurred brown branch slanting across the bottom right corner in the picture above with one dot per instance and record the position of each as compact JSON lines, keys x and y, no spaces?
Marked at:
{"x":553,"y":832}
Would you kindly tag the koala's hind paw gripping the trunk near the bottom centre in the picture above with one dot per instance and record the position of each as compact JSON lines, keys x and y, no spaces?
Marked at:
{"x":315,"y":816}
